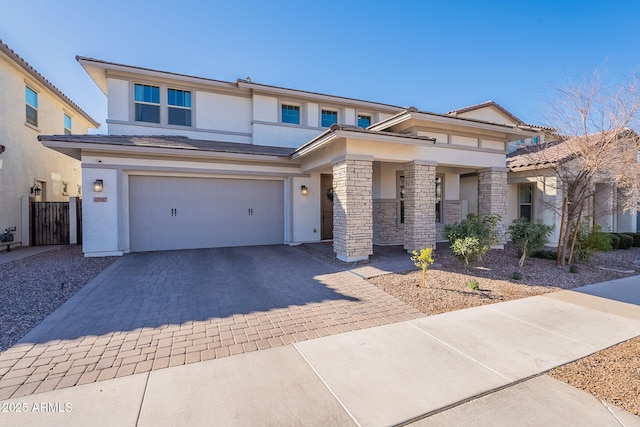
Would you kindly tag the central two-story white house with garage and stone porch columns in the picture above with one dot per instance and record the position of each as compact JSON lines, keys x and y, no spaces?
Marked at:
{"x":242,"y":163}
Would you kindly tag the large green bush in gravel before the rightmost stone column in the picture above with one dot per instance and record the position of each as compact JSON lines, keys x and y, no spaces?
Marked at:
{"x":471,"y":238}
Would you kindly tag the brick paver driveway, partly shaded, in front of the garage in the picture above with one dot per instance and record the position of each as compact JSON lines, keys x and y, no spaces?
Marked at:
{"x":154,"y":310}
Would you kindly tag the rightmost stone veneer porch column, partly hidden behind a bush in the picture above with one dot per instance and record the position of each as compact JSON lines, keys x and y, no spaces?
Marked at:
{"x":492,"y":197}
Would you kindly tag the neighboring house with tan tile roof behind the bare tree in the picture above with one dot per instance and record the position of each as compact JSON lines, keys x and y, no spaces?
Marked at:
{"x":535,"y":190}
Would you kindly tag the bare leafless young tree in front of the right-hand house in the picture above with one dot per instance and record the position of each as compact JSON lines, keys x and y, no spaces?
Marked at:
{"x":594,"y":143}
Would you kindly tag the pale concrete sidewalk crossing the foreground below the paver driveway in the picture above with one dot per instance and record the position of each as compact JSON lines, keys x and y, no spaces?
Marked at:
{"x":478,"y":366}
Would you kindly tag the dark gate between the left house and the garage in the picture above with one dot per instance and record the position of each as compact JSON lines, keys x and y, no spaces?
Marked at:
{"x":49,"y":223}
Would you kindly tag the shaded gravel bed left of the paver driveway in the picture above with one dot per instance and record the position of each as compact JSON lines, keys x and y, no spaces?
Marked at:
{"x":32,"y":288}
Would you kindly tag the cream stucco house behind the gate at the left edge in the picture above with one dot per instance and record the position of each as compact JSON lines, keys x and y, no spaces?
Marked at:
{"x":29,"y":106}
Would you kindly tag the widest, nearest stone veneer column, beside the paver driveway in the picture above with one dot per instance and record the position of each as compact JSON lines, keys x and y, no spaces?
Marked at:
{"x":352,"y":208}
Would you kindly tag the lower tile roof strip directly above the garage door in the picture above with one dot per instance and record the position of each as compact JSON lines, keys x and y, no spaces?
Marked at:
{"x":172,"y":142}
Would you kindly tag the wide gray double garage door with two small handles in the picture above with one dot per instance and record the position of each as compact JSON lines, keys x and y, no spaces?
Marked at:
{"x":184,"y":213}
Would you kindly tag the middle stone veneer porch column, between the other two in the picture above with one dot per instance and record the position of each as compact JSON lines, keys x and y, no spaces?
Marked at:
{"x":419,"y":205}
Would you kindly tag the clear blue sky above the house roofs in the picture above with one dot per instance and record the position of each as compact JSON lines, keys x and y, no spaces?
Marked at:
{"x":435,"y":55}
